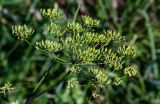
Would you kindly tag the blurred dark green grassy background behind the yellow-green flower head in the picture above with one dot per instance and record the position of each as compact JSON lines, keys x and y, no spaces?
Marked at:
{"x":23,"y":66}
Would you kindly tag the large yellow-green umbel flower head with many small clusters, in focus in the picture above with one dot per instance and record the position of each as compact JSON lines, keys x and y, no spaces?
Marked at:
{"x":95,"y":58}
